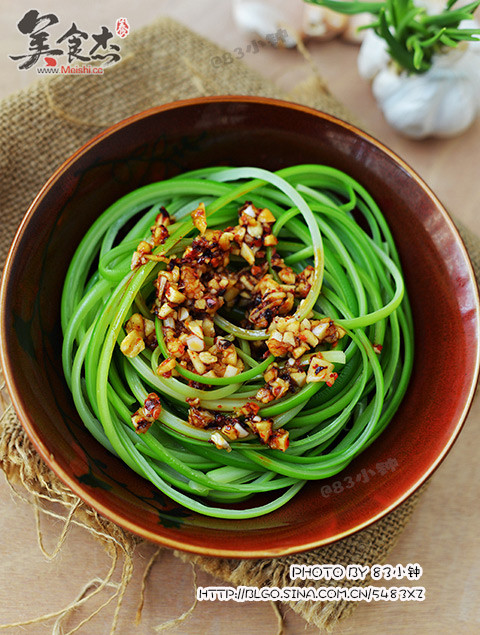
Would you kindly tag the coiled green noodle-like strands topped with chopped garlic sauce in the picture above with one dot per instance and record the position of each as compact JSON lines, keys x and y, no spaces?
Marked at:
{"x":235,"y":331}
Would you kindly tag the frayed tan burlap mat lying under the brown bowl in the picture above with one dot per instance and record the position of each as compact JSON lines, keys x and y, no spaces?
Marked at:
{"x":161,"y":63}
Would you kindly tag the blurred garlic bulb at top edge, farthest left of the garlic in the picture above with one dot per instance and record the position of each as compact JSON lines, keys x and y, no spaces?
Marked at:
{"x":263,"y":19}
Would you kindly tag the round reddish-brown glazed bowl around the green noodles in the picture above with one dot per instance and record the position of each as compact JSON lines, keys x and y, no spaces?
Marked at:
{"x":163,"y":142}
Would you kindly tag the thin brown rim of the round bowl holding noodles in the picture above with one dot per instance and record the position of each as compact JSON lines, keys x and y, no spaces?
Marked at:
{"x":74,"y":485}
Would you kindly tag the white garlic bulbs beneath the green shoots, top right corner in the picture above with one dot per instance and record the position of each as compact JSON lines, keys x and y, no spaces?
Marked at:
{"x":441,"y":102}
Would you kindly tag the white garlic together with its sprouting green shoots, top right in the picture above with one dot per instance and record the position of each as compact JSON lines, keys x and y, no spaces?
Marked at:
{"x":424,"y":66}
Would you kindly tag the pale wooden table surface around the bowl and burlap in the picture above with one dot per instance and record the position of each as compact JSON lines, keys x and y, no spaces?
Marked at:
{"x":443,"y":533}
